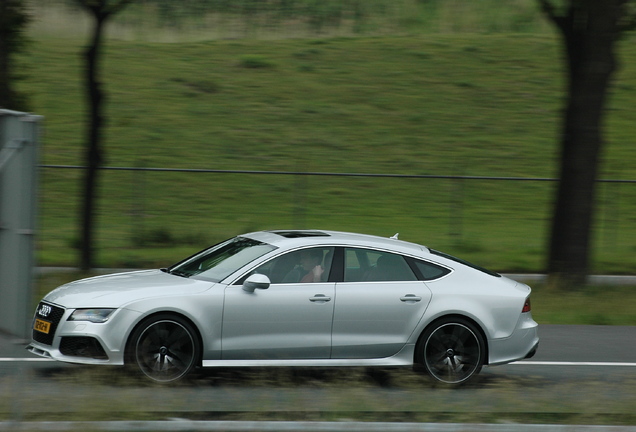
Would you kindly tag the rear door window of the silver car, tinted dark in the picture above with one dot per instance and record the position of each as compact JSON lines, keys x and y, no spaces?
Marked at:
{"x":366,"y":265}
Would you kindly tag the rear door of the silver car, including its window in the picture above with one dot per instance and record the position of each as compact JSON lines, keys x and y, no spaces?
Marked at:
{"x":379,"y":303}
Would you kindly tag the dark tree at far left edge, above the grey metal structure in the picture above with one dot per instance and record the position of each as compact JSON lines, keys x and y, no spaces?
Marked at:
{"x":13,"y":19}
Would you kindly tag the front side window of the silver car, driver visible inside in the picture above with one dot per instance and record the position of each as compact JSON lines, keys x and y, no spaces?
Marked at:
{"x":301,"y":266}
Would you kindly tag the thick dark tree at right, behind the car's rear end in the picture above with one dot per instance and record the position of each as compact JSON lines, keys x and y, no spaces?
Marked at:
{"x":590,"y":31}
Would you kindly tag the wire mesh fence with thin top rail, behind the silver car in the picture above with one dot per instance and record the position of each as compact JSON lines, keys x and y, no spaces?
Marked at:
{"x":499,"y":221}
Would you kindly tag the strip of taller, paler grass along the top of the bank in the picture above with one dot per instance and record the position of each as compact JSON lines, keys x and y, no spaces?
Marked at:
{"x":205,"y":20}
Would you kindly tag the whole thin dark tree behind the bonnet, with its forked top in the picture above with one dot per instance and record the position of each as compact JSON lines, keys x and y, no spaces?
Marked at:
{"x":101,"y":11}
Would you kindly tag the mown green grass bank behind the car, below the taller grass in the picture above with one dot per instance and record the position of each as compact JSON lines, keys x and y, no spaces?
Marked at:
{"x":460,"y":104}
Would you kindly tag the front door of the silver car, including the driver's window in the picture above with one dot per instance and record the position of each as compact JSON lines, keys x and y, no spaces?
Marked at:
{"x":289,"y":320}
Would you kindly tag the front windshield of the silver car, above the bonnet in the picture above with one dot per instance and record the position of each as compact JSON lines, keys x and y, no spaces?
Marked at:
{"x":220,"y":261}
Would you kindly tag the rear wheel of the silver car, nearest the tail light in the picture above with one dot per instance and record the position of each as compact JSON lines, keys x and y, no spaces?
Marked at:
{"x":452,"y":351}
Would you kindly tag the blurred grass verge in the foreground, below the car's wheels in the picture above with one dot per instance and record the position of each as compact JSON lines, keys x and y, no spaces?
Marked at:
{"x":337,"y":394}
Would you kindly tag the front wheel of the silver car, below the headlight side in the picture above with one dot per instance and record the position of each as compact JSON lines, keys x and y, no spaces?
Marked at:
{"x":165,"y":348}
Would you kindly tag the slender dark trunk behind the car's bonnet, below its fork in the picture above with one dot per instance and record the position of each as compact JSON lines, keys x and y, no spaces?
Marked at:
{"x":93,"y":150}
